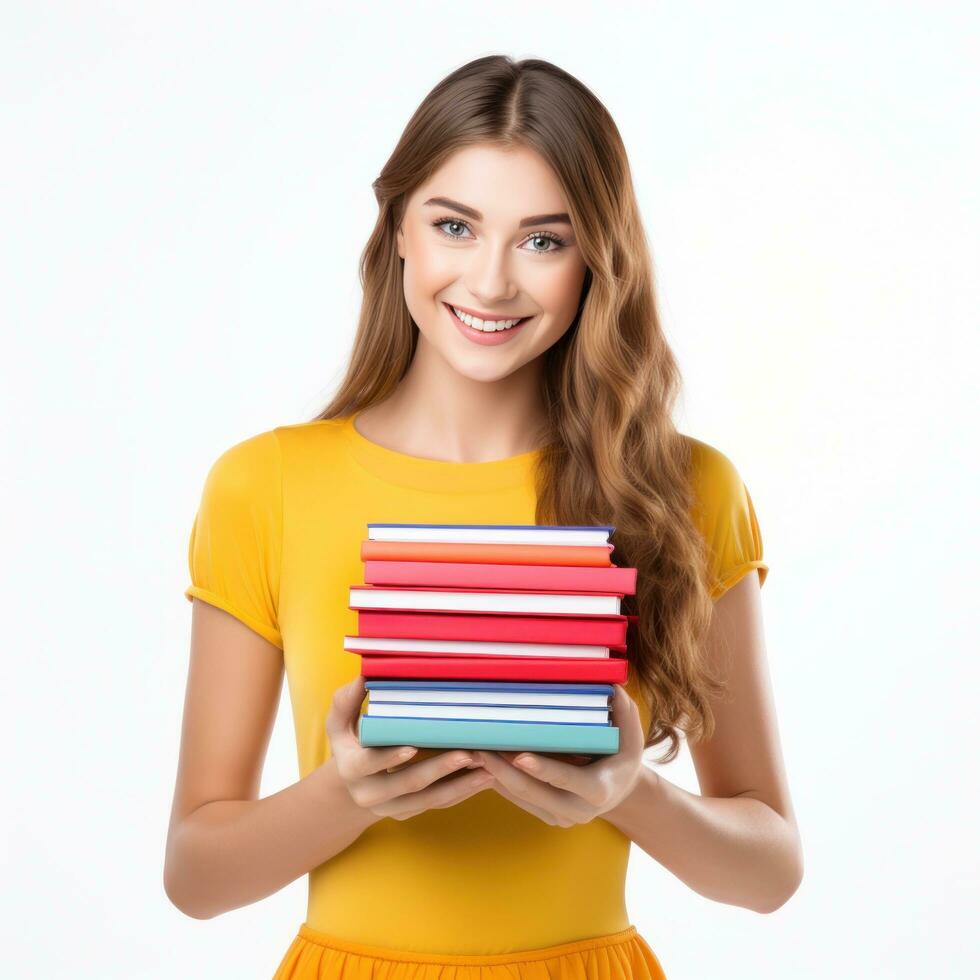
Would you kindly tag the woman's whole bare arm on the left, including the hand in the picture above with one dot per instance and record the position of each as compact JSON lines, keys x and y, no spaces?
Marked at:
{"x":225,"y":847}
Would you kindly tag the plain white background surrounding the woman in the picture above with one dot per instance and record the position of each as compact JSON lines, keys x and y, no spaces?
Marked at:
{"x":185,"y":194}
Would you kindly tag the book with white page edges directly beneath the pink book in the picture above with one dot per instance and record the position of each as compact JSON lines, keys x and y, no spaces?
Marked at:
{"x":530,"y":603}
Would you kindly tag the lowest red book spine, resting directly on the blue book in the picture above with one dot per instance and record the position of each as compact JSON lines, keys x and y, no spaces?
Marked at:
{"x":585,"y":670}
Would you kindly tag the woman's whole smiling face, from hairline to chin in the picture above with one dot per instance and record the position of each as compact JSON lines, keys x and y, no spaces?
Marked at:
{"x":485,"y":235}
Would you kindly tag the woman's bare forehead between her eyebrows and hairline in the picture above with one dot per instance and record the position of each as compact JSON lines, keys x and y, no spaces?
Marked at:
{"x":503,"y":184}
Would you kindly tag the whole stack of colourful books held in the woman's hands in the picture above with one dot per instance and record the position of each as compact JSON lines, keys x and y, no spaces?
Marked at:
{"x":491,"y":636}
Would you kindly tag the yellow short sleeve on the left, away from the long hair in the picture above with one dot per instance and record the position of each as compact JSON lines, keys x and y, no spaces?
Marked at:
{"x":235,"y":549}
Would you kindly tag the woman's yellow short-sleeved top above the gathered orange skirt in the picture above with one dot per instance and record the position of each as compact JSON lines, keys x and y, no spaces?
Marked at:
{"x":276,"y":543}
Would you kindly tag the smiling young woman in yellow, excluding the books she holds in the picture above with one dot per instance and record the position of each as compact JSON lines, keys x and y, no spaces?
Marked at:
{"x":508,"y":198}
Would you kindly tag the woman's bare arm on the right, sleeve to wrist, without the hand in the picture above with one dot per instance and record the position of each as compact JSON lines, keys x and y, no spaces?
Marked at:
{"x":738,"y":842}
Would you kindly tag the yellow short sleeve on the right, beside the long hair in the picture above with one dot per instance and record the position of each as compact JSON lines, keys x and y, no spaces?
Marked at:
{"x":726,"y":516}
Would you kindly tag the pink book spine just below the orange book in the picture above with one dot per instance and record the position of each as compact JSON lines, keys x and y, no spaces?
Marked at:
{"x":535,"y":578}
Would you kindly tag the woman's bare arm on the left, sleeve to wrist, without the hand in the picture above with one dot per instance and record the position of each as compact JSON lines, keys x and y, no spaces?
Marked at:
{"x":225,"y":847}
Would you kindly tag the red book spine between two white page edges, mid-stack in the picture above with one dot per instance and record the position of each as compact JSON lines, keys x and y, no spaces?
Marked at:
{"x":603,"y":631}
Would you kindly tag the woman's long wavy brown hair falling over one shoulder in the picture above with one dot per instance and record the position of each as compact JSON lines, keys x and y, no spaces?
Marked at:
{"x":611,"y":453}
